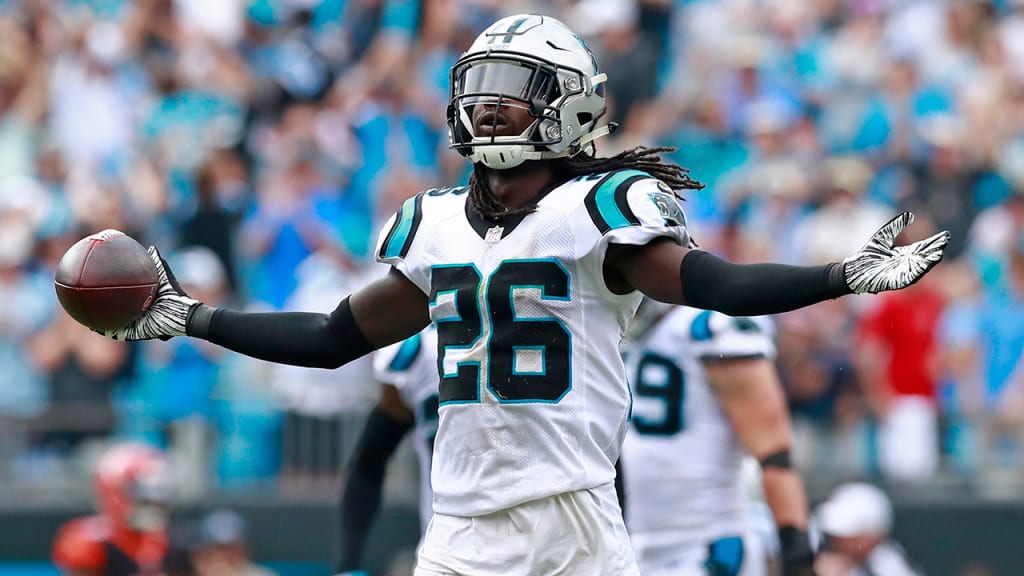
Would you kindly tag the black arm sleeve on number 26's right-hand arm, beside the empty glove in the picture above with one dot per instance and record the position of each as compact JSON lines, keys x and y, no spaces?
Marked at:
{"x":712,"y":283}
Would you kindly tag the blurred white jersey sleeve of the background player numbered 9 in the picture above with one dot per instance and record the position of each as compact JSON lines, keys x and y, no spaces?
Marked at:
{"x":717,"y":337}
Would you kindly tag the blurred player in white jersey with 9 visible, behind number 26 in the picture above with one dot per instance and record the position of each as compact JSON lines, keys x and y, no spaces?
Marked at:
{"x":706,"y":397}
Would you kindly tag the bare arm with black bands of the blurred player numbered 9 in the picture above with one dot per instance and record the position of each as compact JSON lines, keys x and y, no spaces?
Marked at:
{"x":752,"y":398}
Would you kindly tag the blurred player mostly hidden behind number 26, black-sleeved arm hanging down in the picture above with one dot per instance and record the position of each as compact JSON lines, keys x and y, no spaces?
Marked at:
{"x":408,"y":373}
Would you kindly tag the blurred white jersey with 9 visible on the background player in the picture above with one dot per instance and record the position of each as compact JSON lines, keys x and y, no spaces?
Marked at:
{"x":682,"y":465}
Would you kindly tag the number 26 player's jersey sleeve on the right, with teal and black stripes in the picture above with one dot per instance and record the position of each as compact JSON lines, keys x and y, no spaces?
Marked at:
{"x":632,"y":208}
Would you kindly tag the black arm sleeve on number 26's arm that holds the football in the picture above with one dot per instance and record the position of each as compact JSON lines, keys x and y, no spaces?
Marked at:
{"x":317,"y":341}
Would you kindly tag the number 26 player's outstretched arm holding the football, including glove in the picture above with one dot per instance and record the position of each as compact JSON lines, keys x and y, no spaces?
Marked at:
{"x":391,"y":310}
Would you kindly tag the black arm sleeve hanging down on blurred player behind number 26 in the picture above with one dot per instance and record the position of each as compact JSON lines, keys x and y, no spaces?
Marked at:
{"x":362,"y":498}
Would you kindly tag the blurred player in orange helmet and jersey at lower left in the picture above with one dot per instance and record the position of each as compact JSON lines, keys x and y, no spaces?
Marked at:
{"x":129,"y":538}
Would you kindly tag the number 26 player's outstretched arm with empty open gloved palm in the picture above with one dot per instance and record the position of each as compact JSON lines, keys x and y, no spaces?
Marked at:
{"x":670,"y":273}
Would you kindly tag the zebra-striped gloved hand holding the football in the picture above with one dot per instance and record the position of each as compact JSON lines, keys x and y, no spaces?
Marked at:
{"x":167,"y":316}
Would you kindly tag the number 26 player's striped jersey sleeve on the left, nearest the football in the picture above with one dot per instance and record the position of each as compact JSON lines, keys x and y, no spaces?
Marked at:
{"x":401,"y":246}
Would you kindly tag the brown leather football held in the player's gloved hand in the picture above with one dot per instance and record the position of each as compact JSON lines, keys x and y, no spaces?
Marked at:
{"x":106,"y":280}
